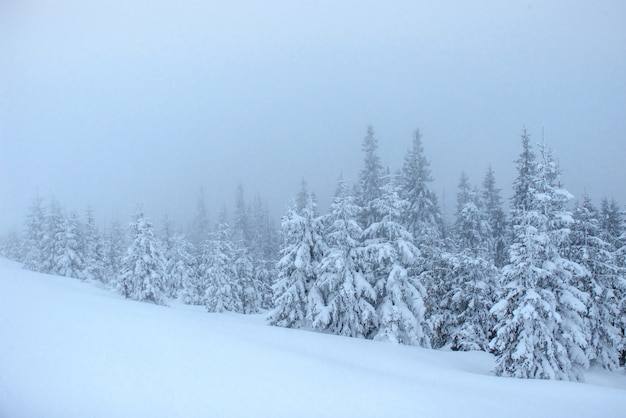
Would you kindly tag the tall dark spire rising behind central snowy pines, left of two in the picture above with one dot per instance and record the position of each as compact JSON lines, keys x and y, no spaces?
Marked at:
{"x":370,"y":178}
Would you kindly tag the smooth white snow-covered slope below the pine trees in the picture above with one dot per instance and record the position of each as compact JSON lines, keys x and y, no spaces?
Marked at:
{"x":72,"y":349}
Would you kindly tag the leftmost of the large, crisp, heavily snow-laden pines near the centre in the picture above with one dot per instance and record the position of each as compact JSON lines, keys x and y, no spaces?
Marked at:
{"x":296,"y":295}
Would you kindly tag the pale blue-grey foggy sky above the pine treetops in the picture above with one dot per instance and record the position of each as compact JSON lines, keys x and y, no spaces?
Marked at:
{"x":117,"y":102}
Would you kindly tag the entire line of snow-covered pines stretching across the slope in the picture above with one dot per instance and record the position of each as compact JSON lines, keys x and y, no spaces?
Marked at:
{"x":542,"y":287}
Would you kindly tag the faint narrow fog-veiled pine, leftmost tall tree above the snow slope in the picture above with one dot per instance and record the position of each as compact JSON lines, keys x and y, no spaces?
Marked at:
{"x":35,"y":240}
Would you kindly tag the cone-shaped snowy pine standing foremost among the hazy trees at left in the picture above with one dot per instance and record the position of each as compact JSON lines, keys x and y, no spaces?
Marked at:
{"x":143,"y":275}
